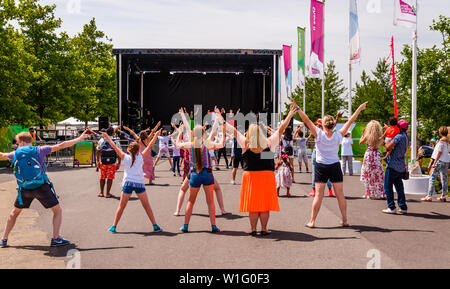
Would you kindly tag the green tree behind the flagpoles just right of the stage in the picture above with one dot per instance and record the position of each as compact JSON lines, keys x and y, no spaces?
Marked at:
{"x":334,"y":88}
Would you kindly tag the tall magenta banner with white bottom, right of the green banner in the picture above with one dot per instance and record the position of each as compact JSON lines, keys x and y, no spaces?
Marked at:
{"x":316,"y":56}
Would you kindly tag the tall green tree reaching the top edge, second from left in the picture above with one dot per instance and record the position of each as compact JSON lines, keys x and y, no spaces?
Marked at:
{"x":46,"y":96}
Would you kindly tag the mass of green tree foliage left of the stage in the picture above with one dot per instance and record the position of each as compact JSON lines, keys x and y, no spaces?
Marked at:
{"x":46,"y":75}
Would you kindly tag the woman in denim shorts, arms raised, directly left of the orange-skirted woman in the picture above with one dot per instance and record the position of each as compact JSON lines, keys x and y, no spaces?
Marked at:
{"x":201,"y":169}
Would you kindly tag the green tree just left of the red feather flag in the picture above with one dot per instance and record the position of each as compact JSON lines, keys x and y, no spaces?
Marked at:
{"x":378,"y":92}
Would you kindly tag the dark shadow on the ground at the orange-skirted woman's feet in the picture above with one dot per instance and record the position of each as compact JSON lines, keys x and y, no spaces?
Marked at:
{"x":278,"y":235}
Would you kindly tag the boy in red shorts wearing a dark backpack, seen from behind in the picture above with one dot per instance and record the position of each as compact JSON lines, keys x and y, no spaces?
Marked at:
{"x":106,"y":161}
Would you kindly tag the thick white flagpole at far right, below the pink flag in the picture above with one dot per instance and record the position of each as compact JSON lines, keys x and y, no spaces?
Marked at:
{"x":414,"y":100}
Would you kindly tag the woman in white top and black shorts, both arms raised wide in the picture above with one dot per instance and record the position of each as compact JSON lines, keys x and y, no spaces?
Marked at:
{"x":328,"y":166}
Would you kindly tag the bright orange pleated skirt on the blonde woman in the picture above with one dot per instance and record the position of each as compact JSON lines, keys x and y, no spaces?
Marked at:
{"x":258,"y":192}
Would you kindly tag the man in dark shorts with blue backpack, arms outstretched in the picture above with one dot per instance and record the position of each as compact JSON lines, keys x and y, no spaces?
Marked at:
{"x":33,"y":183}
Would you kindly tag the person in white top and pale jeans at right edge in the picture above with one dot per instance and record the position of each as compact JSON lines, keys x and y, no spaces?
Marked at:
{"x":439,"y":167}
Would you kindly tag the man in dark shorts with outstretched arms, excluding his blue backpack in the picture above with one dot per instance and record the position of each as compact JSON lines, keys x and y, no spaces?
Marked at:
{"x":44,"y":194}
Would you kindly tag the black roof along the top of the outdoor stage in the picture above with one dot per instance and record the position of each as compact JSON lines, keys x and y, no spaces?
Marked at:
{"x":198,"y":60}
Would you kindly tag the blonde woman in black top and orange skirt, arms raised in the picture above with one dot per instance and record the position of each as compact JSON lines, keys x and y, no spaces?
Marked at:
{"x":258,"y":191}
